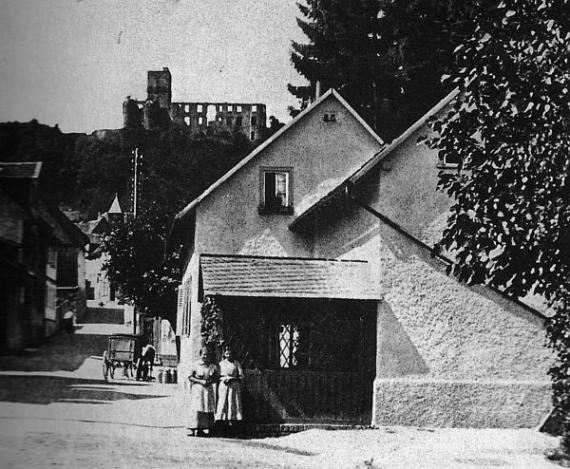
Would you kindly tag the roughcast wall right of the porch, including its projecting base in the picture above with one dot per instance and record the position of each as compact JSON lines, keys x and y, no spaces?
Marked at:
{"x":483,"y":359}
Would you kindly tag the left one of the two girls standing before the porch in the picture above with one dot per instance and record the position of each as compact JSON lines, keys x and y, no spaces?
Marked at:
{"x":202,"y":395}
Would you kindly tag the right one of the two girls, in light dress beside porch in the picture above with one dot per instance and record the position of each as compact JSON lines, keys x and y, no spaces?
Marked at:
{"x":229,"y":409}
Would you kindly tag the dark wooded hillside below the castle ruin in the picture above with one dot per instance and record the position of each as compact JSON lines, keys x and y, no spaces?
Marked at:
{"x":83,"y":172}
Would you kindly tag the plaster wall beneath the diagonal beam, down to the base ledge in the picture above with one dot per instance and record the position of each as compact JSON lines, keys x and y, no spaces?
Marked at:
{"x":458,"y":331}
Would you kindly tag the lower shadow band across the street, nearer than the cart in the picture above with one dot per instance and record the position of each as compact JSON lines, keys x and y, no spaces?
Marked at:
{"x":37,"y":389}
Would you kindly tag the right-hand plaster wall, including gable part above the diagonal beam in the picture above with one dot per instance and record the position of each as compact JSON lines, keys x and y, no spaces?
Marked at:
{"x":447,"y":354}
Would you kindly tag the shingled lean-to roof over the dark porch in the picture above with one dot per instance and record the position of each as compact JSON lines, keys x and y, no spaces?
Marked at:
{"x":233,"y":275}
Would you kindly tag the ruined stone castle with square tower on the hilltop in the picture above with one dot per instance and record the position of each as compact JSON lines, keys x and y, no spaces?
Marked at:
{"x":159,"y":112}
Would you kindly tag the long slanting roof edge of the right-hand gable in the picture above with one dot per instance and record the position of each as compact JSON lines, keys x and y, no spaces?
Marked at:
{"x":372,"y":162}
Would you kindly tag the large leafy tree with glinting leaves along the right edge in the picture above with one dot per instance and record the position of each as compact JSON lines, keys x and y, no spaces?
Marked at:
{"x":509,"y":130}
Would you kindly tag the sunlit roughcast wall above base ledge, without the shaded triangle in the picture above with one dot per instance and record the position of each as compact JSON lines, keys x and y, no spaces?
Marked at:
{"x":460,"y":332}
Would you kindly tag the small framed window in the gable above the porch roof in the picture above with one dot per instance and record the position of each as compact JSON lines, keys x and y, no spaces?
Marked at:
{"x":276,"y":191}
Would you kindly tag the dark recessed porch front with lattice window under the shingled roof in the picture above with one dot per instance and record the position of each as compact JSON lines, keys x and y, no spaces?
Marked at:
{"x":305,"y":360}
